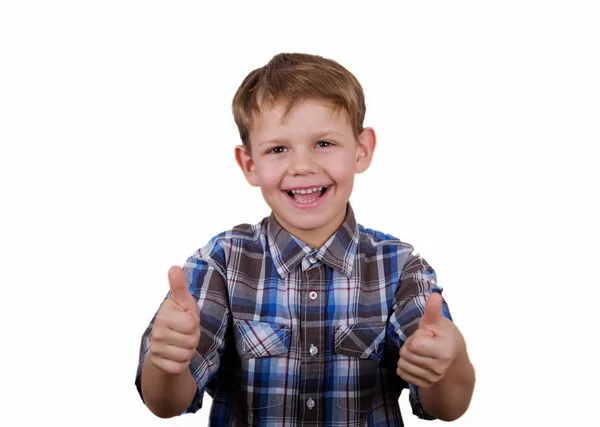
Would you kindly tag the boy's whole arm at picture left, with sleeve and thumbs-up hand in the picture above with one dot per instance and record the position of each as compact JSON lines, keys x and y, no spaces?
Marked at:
{"x":174,"y":368}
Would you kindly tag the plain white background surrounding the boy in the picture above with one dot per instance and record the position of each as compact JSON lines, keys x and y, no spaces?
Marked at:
{"x":117,"y":161}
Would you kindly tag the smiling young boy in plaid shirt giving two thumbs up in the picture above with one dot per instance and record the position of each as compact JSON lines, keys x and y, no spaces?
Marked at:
{"x":306,"y":318}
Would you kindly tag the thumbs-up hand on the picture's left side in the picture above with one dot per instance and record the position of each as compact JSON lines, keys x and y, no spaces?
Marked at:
{"x":176,"y":329}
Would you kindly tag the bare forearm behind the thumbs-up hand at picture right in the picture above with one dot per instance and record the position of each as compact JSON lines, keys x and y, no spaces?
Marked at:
{"x":449,"y":398}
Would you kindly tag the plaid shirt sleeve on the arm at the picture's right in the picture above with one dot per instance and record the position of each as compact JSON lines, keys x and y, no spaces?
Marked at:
{"x":417,"y":281}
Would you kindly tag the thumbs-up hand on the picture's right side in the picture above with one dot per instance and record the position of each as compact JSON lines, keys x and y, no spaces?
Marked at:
{"x":428,"y":353}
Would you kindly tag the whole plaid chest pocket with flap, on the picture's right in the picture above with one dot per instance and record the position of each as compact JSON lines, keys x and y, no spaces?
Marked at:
{"x":358,"y":349}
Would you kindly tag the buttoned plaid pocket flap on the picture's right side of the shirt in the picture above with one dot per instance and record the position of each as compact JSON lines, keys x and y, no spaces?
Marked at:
{"x":362,"y":340}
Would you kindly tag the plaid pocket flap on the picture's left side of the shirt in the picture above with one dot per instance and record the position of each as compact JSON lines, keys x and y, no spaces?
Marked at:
{"x":261,"y":339}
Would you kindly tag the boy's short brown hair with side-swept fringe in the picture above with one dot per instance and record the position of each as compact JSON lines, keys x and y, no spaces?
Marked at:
{"x":295,"y":77}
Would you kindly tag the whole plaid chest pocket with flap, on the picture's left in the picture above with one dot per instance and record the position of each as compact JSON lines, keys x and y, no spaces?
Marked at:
{"x":263,"y":348}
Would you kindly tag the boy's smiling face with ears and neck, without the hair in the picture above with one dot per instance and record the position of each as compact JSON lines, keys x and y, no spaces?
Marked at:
{"x":304,"y":164}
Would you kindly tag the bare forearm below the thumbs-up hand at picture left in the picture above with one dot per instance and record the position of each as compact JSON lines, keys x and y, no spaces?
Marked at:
{"x":164,"y":394}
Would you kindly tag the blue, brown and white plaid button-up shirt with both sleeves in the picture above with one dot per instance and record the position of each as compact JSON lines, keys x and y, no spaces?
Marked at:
{"x":296,"y":336}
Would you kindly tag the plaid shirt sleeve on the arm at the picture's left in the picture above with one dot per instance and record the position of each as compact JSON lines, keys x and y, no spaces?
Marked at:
{"x":205,"y":274}
